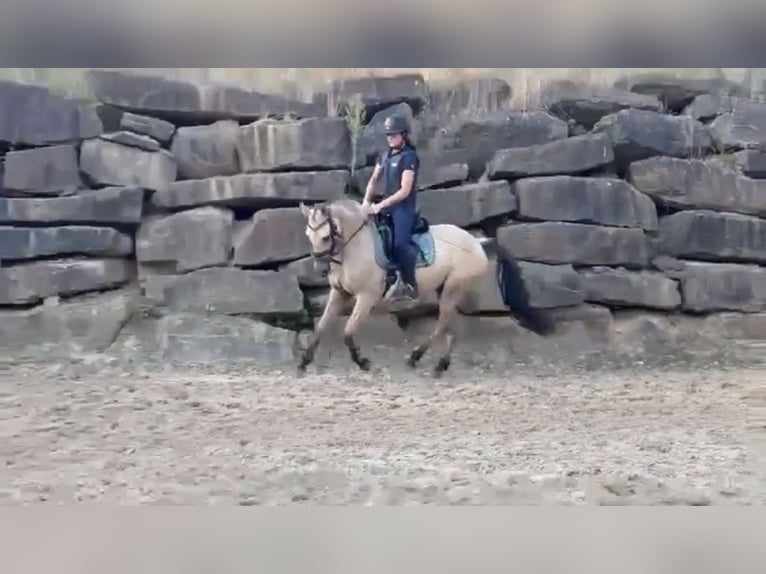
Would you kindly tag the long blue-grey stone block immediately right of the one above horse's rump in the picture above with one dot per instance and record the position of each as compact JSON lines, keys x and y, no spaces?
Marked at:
{"x":604,"y":201}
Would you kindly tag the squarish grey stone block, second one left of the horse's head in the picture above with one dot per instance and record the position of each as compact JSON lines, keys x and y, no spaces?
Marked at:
{"x":187,"y":240}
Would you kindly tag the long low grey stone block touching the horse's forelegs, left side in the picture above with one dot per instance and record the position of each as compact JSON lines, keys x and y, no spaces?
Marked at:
{"x":228,"y":291}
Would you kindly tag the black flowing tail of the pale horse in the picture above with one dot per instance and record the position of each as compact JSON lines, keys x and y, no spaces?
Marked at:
{"x":516,"y":296}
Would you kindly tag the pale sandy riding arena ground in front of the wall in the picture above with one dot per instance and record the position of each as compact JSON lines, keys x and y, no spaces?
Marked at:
{"x":637,"y":433}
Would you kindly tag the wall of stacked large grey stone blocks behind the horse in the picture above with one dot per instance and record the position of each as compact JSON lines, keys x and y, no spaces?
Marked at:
{"x":170,"y":209}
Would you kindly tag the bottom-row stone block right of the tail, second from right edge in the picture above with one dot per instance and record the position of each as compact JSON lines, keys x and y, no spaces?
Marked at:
{"x":622,"y":288}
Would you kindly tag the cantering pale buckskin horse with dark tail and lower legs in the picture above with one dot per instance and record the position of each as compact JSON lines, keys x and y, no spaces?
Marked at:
{"x":450,"y":261}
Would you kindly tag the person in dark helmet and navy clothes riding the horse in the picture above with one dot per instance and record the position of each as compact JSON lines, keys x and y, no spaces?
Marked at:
{"x":399,"y":166}
